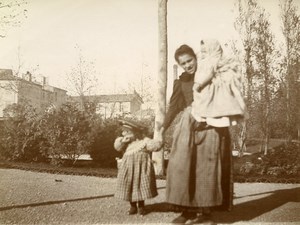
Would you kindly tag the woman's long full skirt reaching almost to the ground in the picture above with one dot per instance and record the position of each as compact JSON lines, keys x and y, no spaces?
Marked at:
{"x":199,"y":170}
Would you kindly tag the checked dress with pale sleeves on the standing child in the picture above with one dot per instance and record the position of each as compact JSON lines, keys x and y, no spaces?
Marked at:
{"x":136,"y":177}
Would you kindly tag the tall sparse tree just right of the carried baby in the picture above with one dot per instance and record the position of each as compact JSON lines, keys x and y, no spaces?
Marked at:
{"x":253,"y":25}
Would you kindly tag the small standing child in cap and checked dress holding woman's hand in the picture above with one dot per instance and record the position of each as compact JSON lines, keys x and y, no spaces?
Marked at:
{"x":136,"y":178}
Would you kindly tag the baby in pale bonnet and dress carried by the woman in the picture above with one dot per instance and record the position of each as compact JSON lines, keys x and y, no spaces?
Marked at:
{"x":218,"y":100}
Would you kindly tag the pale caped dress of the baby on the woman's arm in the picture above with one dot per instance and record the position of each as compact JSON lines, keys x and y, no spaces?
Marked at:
{"x":220,"y":103}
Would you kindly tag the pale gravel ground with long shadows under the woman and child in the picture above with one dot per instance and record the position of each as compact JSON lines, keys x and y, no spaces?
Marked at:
{"x":41,"y":198}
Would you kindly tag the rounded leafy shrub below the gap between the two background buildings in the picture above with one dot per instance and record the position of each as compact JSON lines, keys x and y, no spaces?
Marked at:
{"x":67,"y":132}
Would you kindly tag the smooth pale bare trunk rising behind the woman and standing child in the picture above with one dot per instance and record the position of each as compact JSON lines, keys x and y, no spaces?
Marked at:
{"x":158,"y":157}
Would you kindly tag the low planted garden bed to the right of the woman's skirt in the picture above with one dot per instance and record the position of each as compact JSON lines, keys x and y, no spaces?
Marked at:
{"x":280,"y":165}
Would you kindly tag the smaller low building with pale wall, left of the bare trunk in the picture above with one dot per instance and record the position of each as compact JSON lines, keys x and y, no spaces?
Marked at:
{"x":113,"y":105}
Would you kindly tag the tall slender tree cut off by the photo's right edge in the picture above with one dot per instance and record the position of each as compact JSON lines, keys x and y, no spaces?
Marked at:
{"x":291,"y":30}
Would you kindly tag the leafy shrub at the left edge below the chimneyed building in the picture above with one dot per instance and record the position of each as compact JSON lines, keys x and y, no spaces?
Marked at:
{"x":20,"y":136}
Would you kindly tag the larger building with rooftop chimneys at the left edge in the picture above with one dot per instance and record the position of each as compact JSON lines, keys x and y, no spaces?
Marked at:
{"x":41,"y":95}
